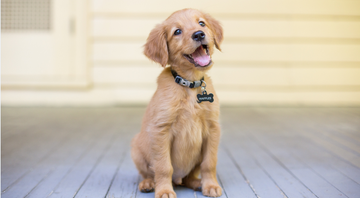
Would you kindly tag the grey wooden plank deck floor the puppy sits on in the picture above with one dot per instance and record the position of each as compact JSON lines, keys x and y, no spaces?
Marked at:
{"x":264,"y":152}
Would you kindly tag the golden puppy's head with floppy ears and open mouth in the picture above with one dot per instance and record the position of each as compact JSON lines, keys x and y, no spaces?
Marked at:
{"x":186,"y":39}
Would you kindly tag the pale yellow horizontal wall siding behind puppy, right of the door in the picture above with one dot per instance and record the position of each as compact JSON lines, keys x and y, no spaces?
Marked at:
{"x":273,"y":52}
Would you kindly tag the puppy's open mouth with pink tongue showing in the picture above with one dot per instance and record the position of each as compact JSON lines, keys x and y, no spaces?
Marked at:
{"x":200,"y":57}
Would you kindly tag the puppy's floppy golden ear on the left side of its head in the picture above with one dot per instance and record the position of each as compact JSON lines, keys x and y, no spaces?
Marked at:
{"x":156,"y":48}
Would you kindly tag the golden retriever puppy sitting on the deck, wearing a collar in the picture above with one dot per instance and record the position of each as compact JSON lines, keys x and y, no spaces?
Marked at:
{"x":180,"y":131}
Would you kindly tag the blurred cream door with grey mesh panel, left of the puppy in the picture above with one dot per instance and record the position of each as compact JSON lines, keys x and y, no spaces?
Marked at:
{"x":39,"y":43}
